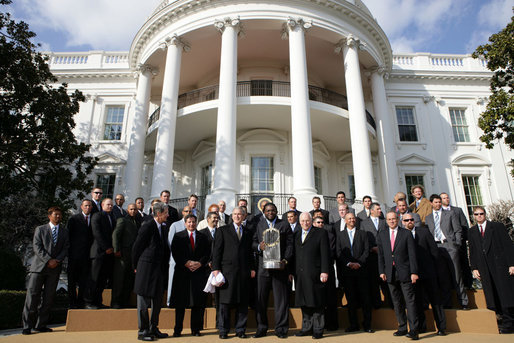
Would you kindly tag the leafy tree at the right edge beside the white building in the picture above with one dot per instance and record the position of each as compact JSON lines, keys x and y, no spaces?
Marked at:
{"x":497,"y":121}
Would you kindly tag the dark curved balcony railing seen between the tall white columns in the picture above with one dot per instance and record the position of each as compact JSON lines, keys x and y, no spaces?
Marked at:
{"x":261,"y":88}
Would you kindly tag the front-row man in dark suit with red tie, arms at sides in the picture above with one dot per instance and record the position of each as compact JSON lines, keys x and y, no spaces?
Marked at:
{"x":397,"y":264}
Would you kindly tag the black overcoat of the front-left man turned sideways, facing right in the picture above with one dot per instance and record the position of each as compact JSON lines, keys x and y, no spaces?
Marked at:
{"x":150,"y":257}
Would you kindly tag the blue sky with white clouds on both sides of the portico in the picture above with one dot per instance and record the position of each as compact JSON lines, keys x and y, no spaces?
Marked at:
{"x":436,"y":26}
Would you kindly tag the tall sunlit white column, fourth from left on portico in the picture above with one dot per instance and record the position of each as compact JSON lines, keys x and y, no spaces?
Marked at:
{"x":301,"y":136}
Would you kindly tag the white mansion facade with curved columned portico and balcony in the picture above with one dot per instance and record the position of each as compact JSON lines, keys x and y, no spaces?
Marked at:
{"x":237,"y":99}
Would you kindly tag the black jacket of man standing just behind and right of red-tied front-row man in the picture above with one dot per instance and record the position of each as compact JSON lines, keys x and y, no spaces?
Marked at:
{"x":427,"y":253}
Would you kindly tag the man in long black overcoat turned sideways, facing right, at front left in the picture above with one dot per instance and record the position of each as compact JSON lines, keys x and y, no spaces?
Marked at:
{"x":150,"y":257}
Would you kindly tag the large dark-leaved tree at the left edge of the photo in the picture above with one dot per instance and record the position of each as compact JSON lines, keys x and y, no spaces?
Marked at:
{"x":40,"y":158}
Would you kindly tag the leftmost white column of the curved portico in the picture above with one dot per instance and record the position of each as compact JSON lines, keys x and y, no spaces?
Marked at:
{"x":136,"y":152}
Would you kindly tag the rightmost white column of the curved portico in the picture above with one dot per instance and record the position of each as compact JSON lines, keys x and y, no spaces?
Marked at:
{"x":385,"y":136}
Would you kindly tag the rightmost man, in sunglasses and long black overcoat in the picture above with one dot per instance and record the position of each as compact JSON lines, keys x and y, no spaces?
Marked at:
{"x":491,"y":254}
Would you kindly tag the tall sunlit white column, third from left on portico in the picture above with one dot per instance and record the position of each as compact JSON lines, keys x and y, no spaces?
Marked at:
{"x":225,"y":176}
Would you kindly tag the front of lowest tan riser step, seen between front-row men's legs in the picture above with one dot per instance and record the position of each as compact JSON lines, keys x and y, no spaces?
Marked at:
{"x":474,"y":321}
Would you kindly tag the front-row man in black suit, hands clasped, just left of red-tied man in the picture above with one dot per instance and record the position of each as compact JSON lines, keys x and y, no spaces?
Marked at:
{"x":352,"y":253}
